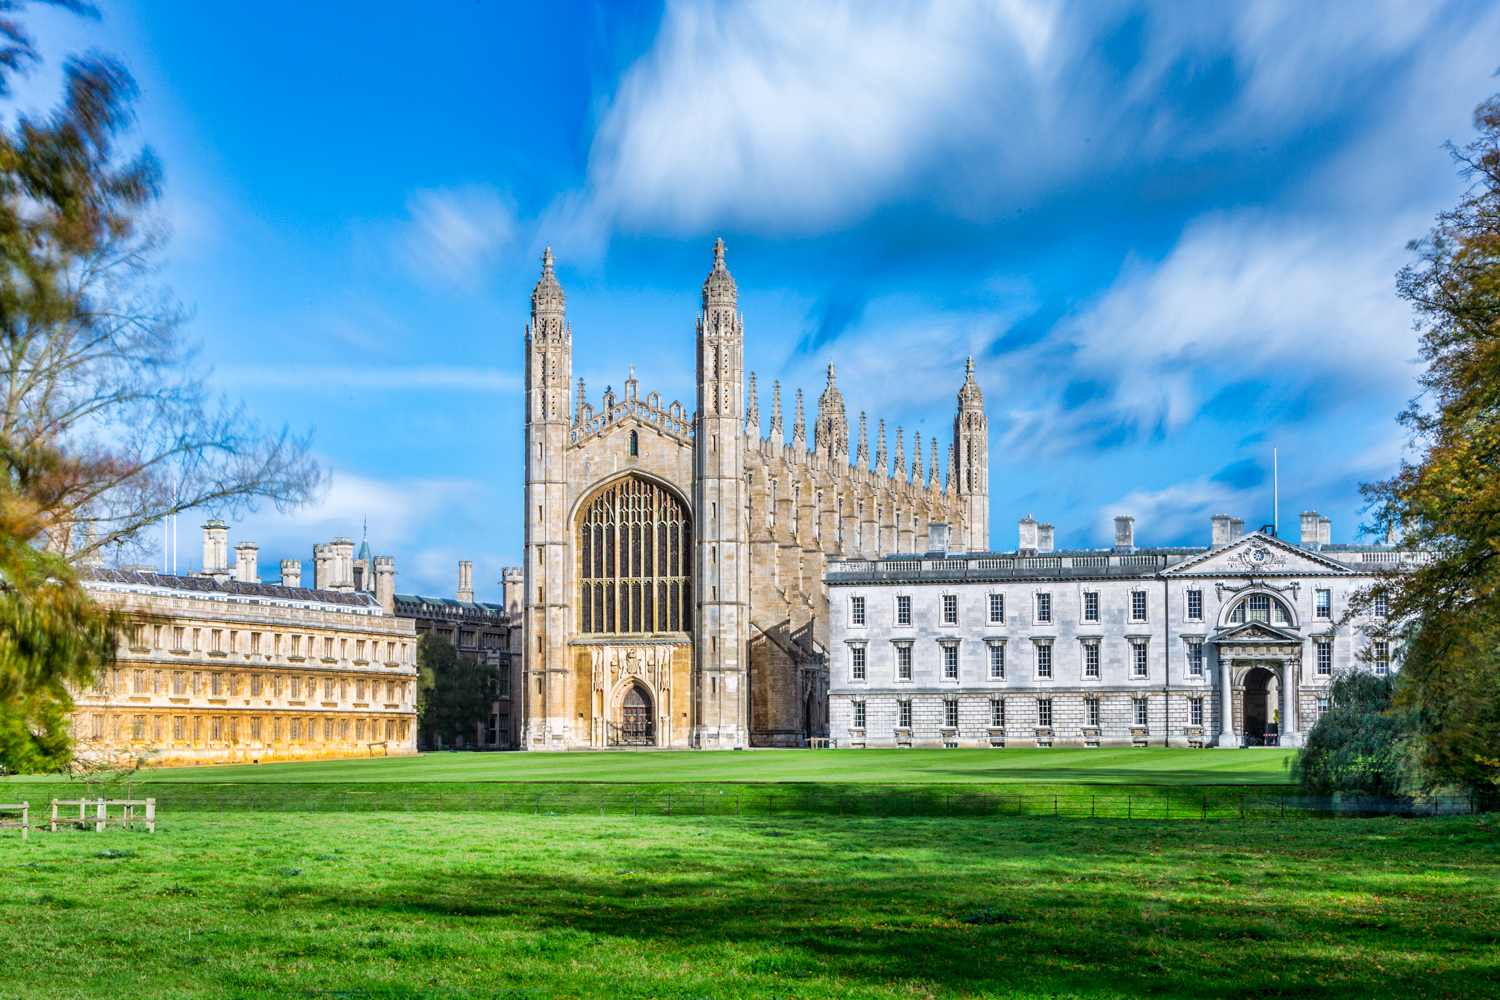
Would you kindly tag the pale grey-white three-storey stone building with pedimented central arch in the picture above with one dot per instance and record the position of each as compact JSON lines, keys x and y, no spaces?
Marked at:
{"x":1231,"y":644}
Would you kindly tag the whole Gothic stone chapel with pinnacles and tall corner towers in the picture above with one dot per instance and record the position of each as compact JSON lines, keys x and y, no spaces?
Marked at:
{"x":676,"y":561}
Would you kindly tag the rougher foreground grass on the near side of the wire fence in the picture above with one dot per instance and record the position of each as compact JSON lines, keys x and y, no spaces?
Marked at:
{"x":457,"y":906}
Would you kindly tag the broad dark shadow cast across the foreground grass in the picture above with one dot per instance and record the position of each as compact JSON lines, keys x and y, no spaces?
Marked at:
{"x":1087,"y":911}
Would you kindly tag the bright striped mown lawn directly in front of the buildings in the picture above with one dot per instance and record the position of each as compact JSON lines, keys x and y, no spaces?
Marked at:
{"x":1147,"y":767}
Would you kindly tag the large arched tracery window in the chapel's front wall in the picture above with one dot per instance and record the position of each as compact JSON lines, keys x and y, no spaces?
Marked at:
{"x":635,"y":543}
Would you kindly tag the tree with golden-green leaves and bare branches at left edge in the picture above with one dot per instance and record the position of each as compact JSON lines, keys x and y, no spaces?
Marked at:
{"x":107,"y":425}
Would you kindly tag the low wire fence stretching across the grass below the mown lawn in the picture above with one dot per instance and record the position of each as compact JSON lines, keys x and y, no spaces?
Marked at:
{"x":1178,"y":804}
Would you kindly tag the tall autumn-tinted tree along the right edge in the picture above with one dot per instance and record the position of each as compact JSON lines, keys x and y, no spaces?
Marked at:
{"x":1445,"y":614}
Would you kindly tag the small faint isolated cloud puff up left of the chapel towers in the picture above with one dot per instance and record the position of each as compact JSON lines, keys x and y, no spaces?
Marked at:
{"x":455,"y":235}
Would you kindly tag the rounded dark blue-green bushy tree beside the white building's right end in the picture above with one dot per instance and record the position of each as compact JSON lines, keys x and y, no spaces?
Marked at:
{"x":1363,"y":744}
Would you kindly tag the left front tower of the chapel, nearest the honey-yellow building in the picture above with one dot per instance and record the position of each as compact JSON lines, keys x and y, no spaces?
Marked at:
{"x":550,"y":373}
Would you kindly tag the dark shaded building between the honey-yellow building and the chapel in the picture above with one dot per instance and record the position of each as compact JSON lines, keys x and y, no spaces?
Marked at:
{"x":482,"y":633}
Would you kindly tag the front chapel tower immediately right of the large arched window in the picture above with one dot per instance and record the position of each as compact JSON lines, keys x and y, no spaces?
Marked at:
{"x":721,"y":587}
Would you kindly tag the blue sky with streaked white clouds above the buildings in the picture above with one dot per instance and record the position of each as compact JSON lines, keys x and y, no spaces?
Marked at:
{"x":1168,"y":233}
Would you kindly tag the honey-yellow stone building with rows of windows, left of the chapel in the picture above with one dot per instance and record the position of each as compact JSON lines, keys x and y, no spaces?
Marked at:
{"x":221,"y":668}
